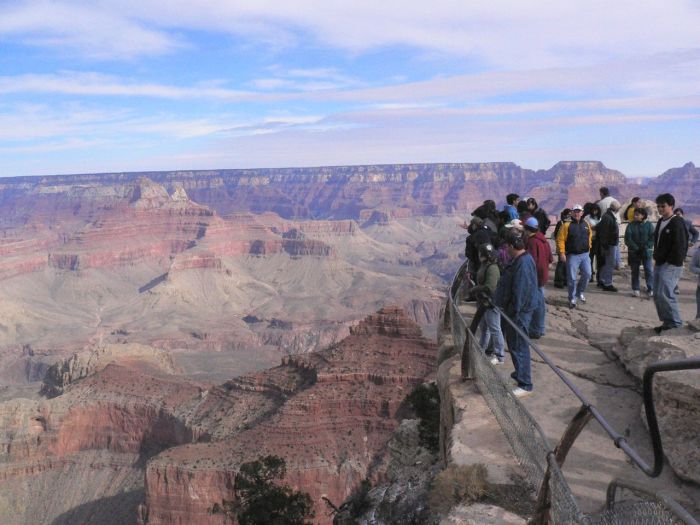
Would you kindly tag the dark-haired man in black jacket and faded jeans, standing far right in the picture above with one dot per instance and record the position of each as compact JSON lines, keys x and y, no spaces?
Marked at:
{"x":670,"y":249}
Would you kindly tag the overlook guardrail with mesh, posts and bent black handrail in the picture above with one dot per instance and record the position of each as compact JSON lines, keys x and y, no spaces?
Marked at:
{"x":542,"y":463}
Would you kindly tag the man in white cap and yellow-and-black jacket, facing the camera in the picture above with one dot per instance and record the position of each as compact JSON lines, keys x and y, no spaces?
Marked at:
{"x":573,"y":245}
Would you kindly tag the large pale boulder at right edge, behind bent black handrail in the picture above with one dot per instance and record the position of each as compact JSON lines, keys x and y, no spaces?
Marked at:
{"x":676,"y":394}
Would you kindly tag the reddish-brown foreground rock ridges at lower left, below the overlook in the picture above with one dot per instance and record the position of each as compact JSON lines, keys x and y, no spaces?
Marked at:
{"x":329,"y":414}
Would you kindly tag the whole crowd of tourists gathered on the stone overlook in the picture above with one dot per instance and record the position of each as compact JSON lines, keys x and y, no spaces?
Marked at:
{"x":509,"y":259}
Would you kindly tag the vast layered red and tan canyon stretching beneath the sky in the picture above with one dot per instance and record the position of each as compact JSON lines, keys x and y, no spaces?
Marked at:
{"x":159,"y":329}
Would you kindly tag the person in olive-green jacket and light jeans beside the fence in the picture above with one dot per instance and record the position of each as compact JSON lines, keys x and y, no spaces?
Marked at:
{"x":486,"y":281}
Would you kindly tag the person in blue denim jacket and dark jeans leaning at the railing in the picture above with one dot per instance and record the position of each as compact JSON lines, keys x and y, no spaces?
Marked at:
{"x":516,"y":296}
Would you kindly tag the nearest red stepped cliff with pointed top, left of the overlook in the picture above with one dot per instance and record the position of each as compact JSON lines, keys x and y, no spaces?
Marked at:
{"x":331,"y":431}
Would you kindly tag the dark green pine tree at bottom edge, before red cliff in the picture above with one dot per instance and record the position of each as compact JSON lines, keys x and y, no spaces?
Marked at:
{"x":261,"y":501}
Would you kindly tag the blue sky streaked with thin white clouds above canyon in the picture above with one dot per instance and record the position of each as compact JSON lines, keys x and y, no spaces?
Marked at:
{"x":124,"y":85}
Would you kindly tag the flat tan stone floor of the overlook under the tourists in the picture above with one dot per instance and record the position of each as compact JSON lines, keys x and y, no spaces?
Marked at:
{"x":582,"y":342}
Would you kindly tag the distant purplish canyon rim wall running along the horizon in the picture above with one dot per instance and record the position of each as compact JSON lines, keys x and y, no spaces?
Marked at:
{"x":339,"y":192}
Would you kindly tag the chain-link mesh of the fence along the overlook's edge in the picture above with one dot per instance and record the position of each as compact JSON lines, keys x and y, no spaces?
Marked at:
{"x":530,"y":446}
